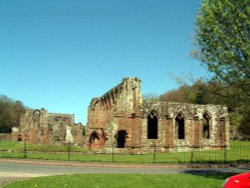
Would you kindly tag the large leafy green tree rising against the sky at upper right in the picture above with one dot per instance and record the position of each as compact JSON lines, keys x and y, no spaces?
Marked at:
{"x":223,"y":44}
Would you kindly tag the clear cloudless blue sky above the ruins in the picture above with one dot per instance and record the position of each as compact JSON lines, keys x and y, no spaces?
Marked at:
{"x":59,"y":54}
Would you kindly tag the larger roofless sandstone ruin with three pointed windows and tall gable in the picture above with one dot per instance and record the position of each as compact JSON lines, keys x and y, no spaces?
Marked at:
{"x":121,"y":118}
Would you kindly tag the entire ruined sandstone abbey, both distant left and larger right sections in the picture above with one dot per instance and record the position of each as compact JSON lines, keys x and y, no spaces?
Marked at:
{"x":122,"y":119}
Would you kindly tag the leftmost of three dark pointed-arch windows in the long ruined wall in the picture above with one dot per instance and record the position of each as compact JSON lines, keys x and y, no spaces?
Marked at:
{"x":152,"y":125}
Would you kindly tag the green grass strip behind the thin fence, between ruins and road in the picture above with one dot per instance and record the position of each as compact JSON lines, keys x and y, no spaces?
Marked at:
{"x":238,"y":153}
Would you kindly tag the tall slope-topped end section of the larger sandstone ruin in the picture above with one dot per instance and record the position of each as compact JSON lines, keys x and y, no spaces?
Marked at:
{"x":117,"y":110}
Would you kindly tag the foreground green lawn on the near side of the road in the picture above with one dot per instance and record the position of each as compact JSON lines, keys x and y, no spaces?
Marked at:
{"x":124,"y":180}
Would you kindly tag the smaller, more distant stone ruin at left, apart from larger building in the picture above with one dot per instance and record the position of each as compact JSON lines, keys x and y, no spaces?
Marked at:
{"x":41,"y":127}
